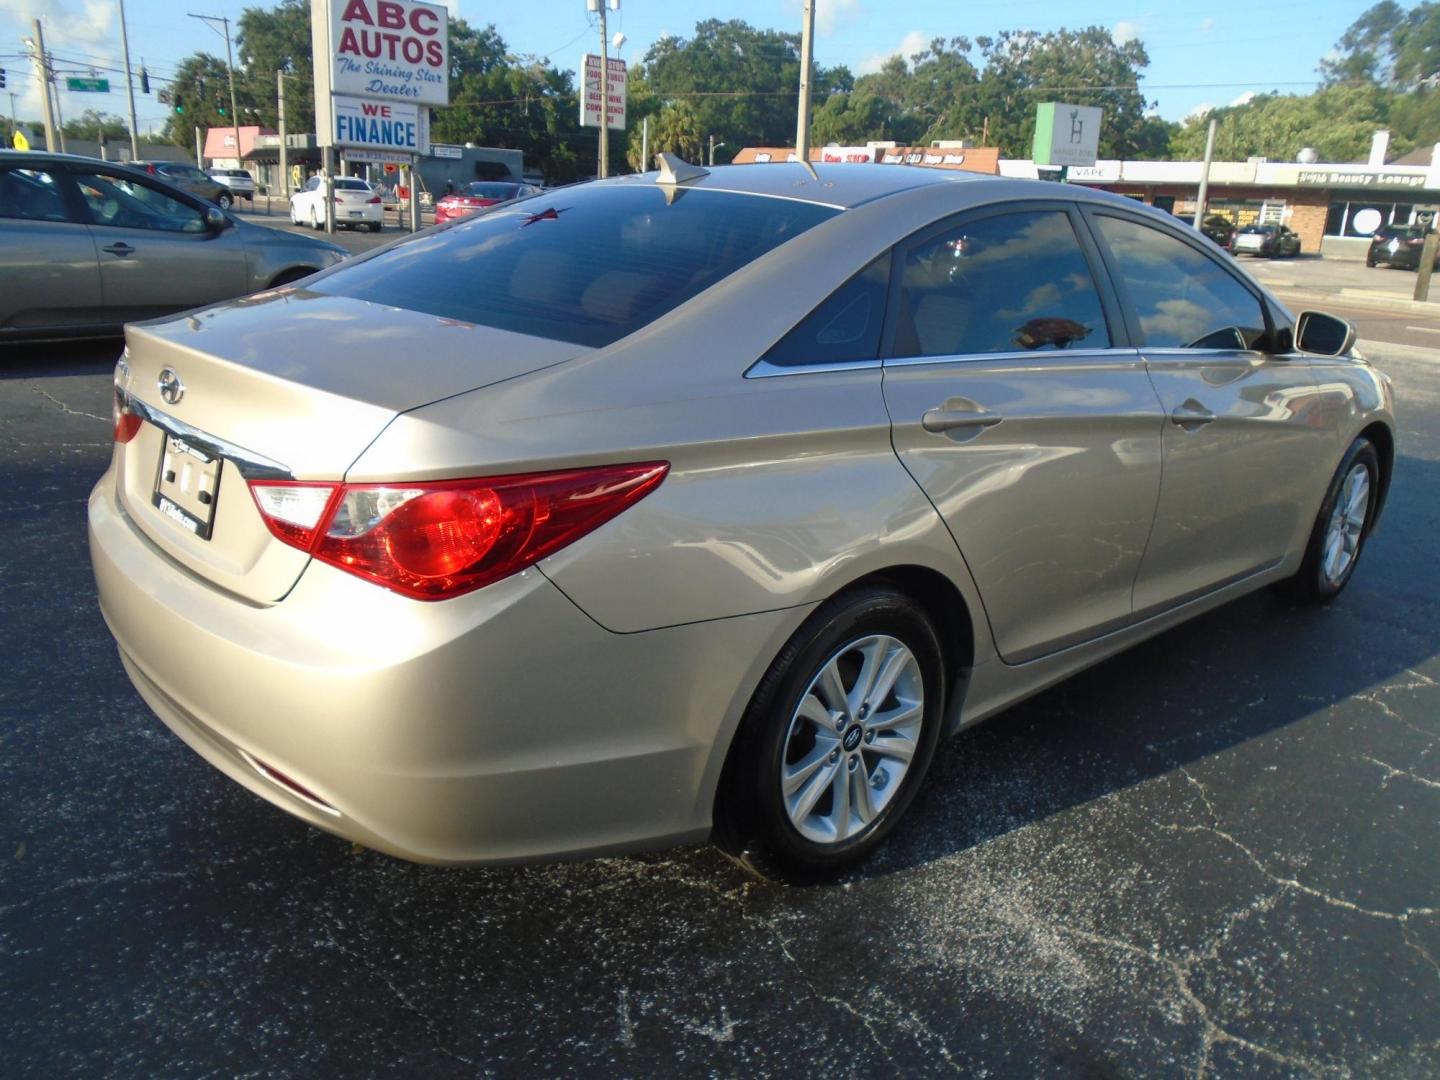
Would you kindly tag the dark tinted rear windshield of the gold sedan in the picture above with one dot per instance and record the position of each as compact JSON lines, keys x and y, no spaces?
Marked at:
{"x":587,"y":264}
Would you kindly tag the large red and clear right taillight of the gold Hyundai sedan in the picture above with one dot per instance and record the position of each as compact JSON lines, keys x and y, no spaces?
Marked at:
{"x":438,"y":539}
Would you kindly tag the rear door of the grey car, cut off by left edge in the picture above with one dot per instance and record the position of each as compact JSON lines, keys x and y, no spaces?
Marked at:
{"x":48,"y":260}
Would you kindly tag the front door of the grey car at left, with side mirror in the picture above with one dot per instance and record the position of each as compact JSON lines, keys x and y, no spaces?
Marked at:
{"x":156,"y":253}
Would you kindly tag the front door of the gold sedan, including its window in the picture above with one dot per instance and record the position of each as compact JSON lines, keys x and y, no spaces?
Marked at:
{"x":1243,"y":426}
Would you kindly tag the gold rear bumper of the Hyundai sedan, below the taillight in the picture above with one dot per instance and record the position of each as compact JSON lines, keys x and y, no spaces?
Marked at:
{"x":500,"y":726}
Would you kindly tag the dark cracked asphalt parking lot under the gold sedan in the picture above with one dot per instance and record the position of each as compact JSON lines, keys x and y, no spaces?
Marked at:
{"x":1215,"y":855}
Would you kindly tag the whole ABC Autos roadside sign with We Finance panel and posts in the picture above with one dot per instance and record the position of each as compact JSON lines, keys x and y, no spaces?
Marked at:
{"x":379,"y":66}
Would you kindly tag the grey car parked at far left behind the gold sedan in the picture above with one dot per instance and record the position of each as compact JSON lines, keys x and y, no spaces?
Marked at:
{"x":89,"y":246}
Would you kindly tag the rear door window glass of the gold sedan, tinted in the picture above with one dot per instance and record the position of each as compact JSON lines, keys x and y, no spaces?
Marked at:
{"x":1006,"y":284}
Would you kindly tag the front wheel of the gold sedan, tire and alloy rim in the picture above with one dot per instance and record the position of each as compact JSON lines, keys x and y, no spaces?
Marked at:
{"x":1341,"y":528}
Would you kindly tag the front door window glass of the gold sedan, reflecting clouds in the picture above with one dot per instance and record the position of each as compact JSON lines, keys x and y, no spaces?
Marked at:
{"x":1183,"y":299}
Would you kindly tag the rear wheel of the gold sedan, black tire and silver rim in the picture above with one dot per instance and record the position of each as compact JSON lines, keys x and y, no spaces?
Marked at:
{"x":852,"y":767}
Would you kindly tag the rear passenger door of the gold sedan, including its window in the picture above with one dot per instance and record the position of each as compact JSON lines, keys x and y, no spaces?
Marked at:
{"x":1026,"y":418}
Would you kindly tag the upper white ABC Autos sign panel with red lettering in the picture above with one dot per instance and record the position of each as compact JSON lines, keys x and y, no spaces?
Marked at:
{"x":384,"y":50}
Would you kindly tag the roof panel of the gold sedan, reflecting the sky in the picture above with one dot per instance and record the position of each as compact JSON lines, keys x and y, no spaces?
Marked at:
{"x":833,"y":185}
